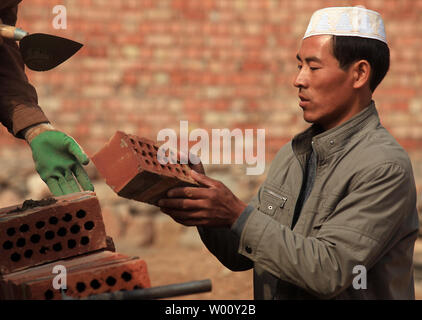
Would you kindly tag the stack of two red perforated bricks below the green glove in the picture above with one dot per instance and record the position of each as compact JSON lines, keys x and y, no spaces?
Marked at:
{"x":64,"y":231}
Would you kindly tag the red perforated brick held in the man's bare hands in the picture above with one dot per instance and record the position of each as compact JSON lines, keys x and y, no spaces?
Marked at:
{"x":130,"y":167}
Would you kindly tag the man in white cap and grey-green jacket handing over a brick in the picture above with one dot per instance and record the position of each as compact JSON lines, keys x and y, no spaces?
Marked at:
{"x":336,"y":217}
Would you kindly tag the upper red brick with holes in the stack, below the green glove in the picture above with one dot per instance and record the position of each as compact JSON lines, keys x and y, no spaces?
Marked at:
{"x":38,"y":232}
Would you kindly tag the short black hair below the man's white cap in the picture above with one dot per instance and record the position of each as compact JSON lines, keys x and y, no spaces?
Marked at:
{"x":348,"y":49}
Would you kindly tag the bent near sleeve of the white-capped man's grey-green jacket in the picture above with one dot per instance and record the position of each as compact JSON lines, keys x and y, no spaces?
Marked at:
{"x":356,"y":233}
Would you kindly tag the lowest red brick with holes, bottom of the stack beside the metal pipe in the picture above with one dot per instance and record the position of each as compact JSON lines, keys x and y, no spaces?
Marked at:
{"x":85,"y":275}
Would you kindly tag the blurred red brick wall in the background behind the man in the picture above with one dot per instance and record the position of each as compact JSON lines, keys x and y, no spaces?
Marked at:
{"x":147,"y":64}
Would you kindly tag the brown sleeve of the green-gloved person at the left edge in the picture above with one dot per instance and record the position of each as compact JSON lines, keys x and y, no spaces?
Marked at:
{"x":18,"y":99}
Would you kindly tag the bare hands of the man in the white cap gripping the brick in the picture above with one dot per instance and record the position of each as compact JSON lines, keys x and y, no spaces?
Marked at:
{"x":212,"y":205}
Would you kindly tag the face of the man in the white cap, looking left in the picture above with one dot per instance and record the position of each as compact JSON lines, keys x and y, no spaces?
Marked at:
{"x":325,"y":90}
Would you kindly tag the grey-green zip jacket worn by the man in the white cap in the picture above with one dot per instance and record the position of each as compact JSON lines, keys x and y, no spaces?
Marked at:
{"x":360,"y":215}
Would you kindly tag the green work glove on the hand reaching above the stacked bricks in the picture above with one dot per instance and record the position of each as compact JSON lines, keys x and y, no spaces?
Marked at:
{"x":58,"y":160}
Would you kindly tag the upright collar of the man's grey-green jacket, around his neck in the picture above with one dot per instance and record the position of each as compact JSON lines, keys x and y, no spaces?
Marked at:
{"x":329,"y":141}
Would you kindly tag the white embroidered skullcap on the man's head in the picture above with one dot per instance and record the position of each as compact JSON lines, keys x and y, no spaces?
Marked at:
{"x":347,"y":21}
